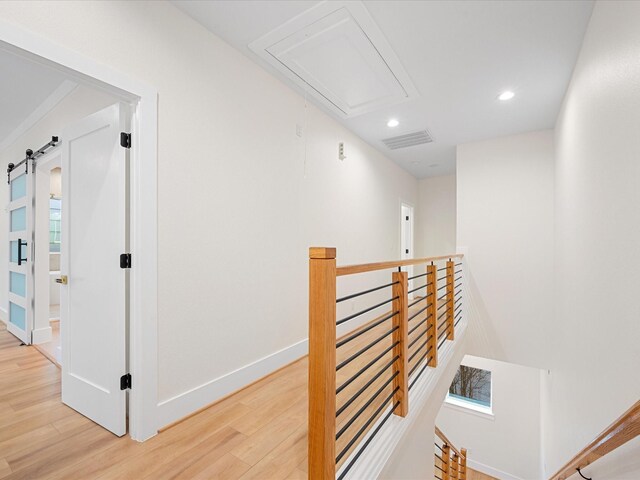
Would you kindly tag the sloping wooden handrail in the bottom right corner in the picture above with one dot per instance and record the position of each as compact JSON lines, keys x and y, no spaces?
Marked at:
{"x":625,"y":428}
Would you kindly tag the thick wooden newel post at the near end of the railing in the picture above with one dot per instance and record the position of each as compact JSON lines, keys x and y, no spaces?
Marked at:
{"x":322,"y":363}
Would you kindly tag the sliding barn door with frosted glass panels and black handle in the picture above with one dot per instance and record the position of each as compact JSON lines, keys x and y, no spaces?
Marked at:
{"x":20,"y":239}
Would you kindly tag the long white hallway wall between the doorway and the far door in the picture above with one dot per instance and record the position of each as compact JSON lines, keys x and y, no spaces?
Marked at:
{"x":240,"y":196}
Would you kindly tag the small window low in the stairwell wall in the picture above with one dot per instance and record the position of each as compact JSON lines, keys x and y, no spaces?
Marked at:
{"x":471,"y":388}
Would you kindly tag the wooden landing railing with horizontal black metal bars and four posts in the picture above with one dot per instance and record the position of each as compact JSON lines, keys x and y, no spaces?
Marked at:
{"x":361,"y":377}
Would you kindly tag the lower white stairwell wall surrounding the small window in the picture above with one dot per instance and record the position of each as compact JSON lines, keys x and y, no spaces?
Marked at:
{"x":508,"y":443}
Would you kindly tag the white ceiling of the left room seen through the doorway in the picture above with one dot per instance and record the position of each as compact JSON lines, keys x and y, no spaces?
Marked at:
{"x":27,"y":91}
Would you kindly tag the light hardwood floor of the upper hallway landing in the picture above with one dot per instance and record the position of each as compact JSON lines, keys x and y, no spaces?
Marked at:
{"x":257,"y":433}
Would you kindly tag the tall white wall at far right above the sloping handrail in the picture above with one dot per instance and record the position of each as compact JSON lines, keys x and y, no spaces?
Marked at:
{"x":595,"y":353}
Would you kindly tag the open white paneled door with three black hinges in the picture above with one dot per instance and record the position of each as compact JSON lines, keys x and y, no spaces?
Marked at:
{"x":93,"y":303}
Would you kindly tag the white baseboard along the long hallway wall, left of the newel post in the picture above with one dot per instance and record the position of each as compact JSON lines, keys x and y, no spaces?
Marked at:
{"x":180,"y":406}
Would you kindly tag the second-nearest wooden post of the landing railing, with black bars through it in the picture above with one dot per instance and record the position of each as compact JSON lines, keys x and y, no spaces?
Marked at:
{"x":399,"y":292}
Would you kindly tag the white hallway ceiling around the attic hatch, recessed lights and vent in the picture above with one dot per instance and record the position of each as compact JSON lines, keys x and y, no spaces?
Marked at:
{"x":459,"y":55}
